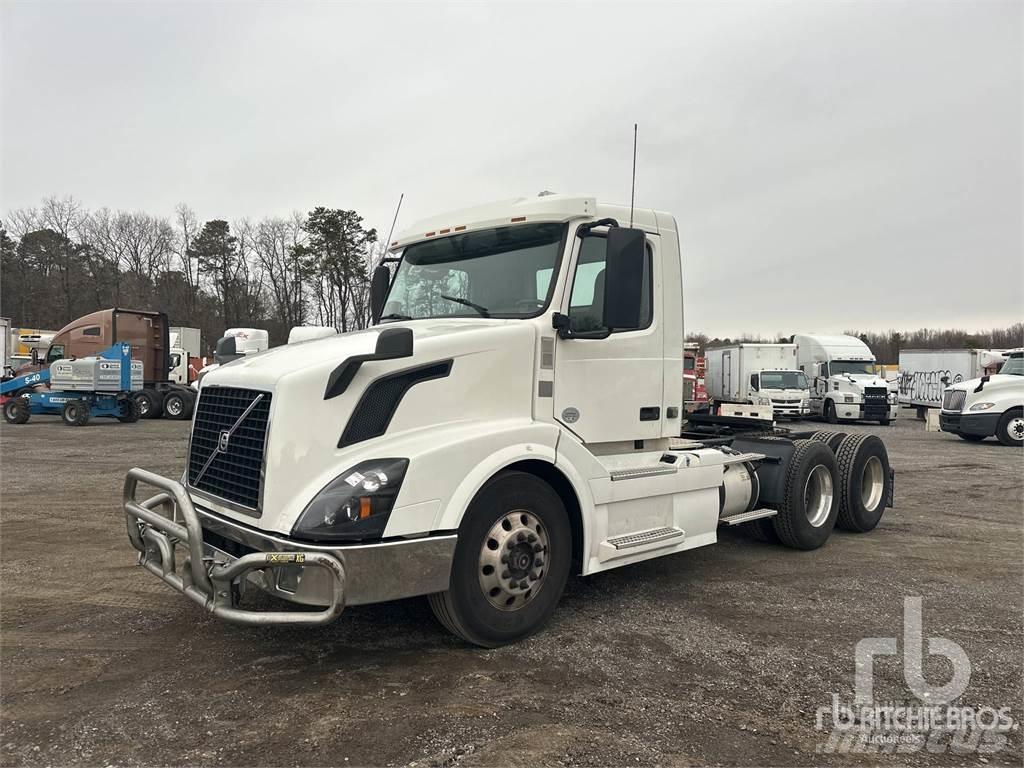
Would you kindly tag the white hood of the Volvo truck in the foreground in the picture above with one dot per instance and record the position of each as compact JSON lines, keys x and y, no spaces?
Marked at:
{"x":486,"y":381}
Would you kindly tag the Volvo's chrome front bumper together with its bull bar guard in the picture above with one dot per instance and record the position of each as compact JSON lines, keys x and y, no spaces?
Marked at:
{"x":224,"y":559}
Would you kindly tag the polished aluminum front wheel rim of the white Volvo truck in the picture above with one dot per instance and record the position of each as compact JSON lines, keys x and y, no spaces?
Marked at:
{"x":514,"y":567}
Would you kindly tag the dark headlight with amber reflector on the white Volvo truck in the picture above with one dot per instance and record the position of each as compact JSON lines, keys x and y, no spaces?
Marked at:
{"x":356,"y":505}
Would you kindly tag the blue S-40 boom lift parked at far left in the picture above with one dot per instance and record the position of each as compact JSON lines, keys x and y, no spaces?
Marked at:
{"x":75,"y":407}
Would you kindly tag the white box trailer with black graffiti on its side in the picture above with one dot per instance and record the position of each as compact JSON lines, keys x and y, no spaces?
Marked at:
{"x":925,"y":374}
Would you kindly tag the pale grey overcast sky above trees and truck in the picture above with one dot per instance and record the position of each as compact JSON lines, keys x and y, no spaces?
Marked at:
{"x":831,"y":165}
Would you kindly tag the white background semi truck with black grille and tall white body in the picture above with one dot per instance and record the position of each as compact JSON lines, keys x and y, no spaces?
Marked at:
{"x":844,"y":386}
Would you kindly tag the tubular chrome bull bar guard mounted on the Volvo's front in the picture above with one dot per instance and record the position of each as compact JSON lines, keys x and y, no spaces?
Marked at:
{"x":203,"y":578}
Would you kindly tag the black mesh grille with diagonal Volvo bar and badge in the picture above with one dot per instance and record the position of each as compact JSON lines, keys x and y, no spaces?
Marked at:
{"x":233,"y":474}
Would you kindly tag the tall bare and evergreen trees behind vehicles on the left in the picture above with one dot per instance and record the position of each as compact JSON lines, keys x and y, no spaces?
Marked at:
{"x":61,"y":261}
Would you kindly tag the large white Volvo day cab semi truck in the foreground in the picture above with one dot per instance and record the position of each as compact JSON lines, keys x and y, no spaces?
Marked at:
{"x":514,"y":416}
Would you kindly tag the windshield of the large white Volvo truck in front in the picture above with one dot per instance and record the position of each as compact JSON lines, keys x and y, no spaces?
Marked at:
{"x":502,"y":273}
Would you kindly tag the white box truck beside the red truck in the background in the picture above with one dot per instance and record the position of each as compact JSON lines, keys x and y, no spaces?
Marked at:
{"x":760,"y":375}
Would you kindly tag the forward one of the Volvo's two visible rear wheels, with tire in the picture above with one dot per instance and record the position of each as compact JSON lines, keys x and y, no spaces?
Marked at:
{"x":810,"y":505}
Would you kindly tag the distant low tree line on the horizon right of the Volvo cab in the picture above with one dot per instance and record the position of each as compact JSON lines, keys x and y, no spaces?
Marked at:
{"x":887,"y":345}
